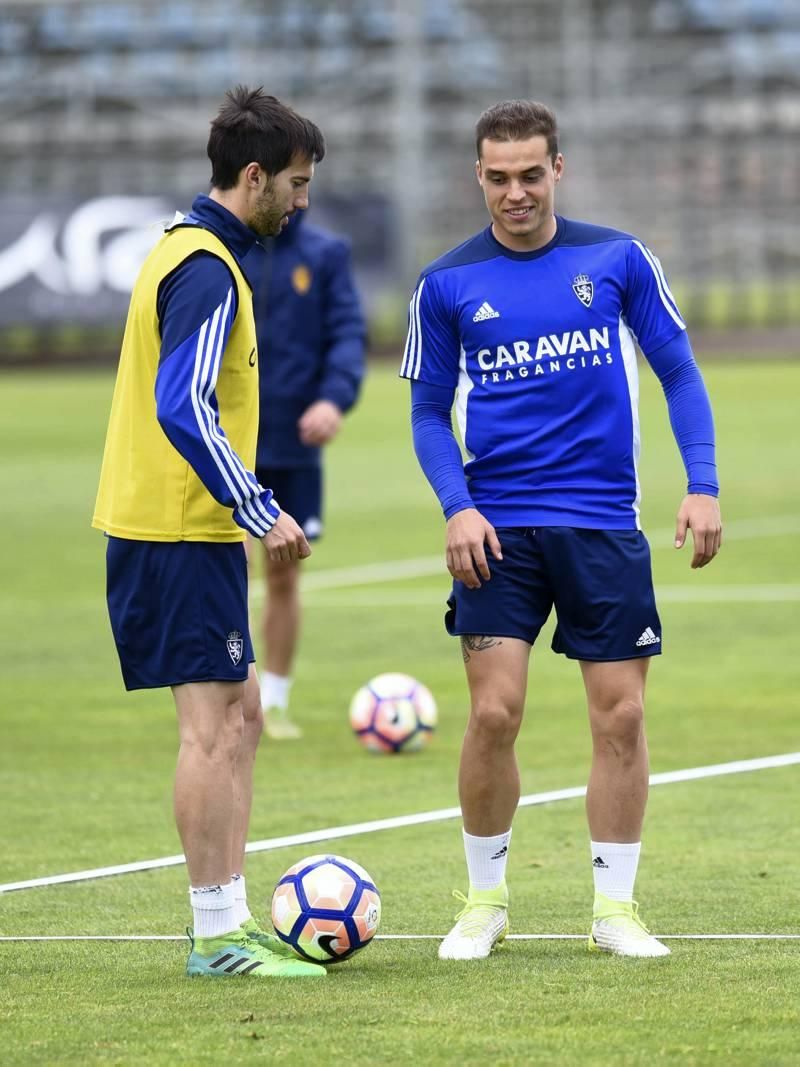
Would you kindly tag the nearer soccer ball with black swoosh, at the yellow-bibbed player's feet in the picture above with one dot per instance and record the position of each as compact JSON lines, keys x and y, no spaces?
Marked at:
{"x":327,"y":909}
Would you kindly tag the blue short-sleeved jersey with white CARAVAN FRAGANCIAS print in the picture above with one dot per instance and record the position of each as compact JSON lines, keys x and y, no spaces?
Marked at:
{"x":540,"y":351}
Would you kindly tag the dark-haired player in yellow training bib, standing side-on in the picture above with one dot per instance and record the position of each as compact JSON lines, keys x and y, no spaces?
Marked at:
{"x":178,"y":499}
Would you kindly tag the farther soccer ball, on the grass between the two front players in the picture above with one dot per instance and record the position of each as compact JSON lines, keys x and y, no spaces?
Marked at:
{"x":393,"y":713}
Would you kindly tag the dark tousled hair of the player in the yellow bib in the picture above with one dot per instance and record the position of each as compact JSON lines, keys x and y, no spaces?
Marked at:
{"x":252,"y":128}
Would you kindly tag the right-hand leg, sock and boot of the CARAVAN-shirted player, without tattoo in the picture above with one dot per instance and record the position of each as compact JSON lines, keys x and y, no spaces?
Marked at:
{"x":617,"y":798}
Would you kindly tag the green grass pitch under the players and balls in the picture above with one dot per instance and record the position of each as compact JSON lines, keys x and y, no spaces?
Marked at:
{"x":86,"y":777}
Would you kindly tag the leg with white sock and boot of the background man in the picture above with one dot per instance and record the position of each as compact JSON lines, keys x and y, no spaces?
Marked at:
{"x":280,"y":633}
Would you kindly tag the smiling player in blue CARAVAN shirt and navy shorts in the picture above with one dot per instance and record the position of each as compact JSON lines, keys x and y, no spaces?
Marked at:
{"x":531,"y":327}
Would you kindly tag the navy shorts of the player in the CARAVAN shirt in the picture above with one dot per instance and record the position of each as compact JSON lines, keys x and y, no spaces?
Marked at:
{"x":600,"y":583}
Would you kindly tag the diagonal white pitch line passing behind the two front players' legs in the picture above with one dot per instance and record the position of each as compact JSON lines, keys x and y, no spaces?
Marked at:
{"x":313,"y":837}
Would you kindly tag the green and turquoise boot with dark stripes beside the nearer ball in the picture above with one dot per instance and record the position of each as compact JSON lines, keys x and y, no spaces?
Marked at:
{"x":235,"y":954}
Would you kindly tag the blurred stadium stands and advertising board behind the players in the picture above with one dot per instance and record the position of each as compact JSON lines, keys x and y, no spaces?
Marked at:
{"x":681,"y":122}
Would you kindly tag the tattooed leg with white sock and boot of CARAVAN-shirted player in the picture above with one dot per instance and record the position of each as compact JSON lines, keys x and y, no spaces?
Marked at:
{"x":489,"y":788}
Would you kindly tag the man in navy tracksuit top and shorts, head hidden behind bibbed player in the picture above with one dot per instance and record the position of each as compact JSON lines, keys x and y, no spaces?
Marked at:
{"x":312,"y":341}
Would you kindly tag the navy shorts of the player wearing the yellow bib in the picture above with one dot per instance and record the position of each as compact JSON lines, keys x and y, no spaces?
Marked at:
{"x":179,"y":612}
